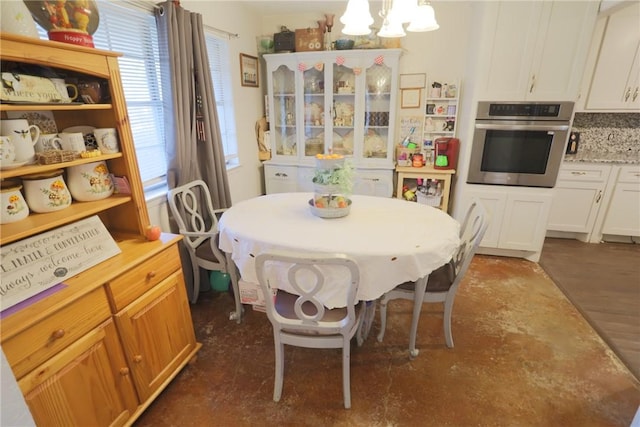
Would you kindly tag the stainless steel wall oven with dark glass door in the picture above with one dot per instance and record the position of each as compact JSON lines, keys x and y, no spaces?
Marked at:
{"x":519,"y":143}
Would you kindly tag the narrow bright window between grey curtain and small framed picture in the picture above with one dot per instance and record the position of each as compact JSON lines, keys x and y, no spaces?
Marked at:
{"x":218,"y":52}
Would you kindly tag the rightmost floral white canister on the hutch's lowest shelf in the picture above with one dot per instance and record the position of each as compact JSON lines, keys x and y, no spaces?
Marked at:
{"x":90,"y":181}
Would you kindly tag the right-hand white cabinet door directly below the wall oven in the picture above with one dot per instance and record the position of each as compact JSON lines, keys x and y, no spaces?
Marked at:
{"x":525,"y":221}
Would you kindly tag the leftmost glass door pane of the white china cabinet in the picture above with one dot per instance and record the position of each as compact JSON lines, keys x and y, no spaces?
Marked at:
{"x":284,"y":111}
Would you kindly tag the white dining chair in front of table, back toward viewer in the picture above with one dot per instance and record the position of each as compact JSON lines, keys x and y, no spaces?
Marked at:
{"x":302,"y":320}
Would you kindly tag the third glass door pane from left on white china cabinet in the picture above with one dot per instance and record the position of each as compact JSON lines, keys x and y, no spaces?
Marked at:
{"x":344,"y":80}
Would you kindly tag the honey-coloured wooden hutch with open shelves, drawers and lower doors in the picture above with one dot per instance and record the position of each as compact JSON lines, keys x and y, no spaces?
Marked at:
{"x":101,"y":347}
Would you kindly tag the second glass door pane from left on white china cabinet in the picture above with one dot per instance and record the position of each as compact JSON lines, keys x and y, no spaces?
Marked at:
{"x":313,"y":90}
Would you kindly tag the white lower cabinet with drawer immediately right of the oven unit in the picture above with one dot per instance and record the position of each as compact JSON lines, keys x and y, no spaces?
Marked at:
{"x":578,"y":196}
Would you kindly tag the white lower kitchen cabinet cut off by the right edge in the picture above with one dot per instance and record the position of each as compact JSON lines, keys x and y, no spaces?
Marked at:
{"x":623,"y":215}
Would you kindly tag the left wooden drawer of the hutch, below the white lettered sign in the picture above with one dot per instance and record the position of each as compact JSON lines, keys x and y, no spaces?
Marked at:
{"x":33,"y":346}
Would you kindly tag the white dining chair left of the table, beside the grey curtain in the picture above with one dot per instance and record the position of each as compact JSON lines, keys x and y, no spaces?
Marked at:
{"x":197,"y":221}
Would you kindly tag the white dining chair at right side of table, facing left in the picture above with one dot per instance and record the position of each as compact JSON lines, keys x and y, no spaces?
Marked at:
{"x":443,"y":283}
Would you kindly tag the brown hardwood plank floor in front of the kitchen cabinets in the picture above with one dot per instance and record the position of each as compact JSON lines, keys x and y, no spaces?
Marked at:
{"x":603,"y":281}
